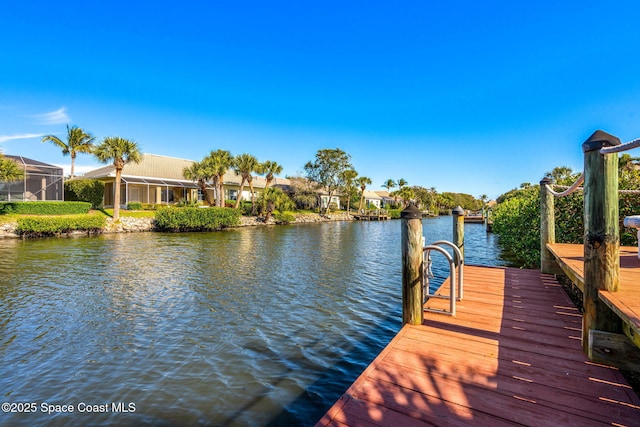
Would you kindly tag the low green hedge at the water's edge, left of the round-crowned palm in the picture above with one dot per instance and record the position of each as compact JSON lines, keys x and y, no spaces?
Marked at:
{"x":47,"y":226}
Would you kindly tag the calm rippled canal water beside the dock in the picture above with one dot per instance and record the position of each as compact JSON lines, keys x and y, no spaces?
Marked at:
{"x":246,"y":327}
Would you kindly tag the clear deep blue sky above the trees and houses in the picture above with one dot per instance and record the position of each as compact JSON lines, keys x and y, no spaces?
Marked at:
{"x":465,"y":96}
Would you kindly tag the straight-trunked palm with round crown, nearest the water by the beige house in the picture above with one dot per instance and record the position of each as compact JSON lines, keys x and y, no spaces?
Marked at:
{"x":121,"y":151}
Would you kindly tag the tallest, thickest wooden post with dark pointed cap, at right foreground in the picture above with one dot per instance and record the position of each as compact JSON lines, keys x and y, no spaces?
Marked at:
{"x":601,"y":234}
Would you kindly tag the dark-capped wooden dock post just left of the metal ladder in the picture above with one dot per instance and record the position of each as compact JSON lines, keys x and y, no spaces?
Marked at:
{"x":412,"y":265}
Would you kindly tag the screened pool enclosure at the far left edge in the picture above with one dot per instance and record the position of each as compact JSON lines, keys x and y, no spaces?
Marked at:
{"x":41,"y":181}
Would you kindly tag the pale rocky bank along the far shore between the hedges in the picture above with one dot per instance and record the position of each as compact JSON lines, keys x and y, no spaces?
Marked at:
{"x":141,"y":225}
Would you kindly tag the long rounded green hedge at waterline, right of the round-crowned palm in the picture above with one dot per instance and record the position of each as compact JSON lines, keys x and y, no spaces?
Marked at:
{"x":196,"y":219}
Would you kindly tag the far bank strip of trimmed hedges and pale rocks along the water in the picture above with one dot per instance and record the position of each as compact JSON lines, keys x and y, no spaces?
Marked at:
{"x":43,"y":219}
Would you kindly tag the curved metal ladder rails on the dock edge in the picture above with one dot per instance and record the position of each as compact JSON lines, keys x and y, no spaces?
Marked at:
{"x":455,"y":263}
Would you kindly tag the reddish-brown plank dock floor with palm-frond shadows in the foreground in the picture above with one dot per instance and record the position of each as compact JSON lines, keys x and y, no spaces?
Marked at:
{"x":511,"y":356}
